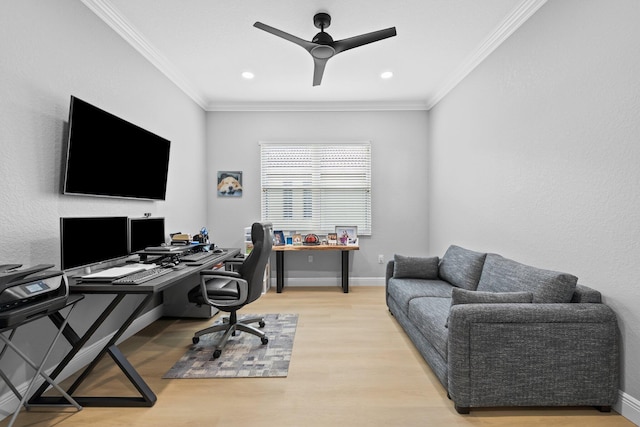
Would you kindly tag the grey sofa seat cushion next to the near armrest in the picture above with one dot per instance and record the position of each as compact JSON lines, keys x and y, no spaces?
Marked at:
{"x":429,"y":315}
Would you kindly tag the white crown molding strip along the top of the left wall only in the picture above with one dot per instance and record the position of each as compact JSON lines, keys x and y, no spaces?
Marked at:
{"x":112,"y":17}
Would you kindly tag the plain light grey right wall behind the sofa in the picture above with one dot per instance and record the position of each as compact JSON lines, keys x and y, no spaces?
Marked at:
{"x":536,"y":156}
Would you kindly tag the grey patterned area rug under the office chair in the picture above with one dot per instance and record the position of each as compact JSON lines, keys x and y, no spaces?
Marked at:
{"x":244,"y":355}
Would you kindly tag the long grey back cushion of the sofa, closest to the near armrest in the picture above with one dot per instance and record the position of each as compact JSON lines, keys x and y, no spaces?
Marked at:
{"x":504,"y":275}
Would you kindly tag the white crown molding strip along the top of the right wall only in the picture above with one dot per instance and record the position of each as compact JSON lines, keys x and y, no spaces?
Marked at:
{"x":508,"y":26}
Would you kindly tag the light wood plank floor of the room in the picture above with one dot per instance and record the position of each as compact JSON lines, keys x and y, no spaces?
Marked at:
{"x":351,"y":366}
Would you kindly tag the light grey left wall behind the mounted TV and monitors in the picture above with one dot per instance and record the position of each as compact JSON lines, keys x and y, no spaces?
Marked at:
{"x":48,"y":52}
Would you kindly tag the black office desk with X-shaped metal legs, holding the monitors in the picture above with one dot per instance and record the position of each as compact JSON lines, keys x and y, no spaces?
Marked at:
{"x":148,"y":289}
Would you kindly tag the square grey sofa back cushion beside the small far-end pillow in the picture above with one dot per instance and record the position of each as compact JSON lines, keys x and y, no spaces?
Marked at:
{"x":461,"y":267}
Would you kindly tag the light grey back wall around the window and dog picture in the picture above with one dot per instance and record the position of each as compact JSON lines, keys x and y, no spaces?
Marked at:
{"x":399,"y":178}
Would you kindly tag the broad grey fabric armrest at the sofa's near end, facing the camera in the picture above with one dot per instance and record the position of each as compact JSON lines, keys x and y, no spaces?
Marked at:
{"x":533,"y":355}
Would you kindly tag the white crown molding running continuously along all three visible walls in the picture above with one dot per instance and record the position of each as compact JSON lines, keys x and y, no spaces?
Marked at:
{"x":112,"y":17}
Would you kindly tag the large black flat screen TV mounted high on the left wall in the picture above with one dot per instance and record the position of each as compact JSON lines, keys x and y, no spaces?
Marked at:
{"x":111,"y":157}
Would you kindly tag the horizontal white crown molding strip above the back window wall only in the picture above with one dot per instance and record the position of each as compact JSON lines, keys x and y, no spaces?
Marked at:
{"x":319,"y":106}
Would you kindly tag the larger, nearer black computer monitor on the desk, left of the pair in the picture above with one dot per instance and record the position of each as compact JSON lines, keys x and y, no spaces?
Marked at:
{"x":85,"y":241}
